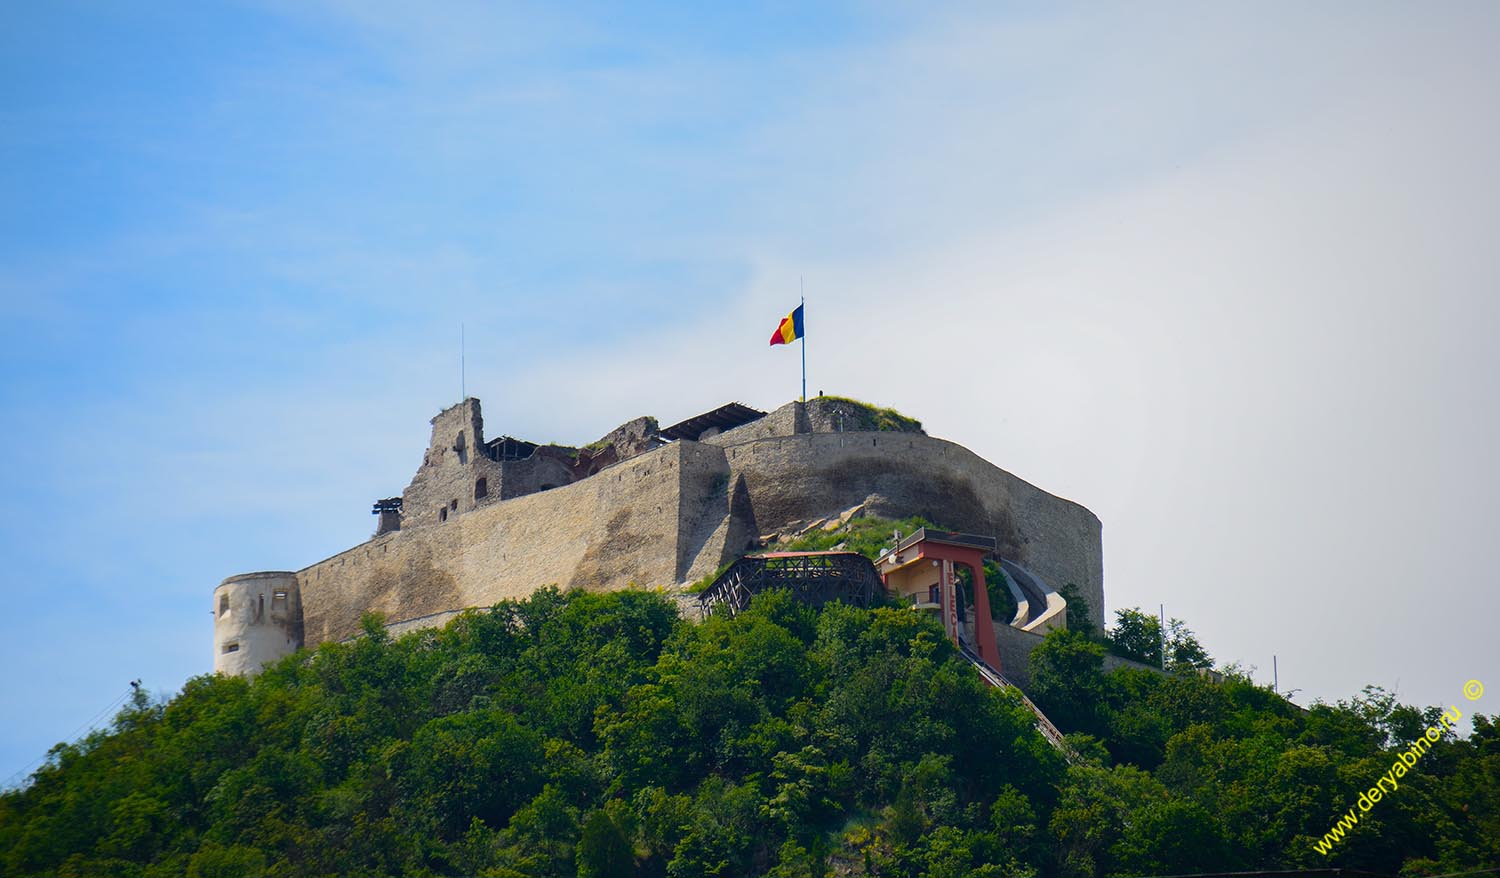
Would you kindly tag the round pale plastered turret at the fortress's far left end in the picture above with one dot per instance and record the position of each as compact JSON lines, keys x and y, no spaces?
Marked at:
{"x":257,"y":619}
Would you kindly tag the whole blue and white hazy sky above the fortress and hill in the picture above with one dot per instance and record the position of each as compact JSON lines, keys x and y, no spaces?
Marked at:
{"x":1226,"y":277}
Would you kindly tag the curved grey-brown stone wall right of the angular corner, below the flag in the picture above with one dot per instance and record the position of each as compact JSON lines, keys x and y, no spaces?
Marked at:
{"x":811,"y":477}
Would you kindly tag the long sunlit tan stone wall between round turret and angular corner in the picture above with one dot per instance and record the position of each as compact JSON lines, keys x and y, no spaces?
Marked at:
{"x":602,"y":532}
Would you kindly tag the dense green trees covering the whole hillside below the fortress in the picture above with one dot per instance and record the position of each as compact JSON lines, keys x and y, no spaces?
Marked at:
{"x":599,"y":735}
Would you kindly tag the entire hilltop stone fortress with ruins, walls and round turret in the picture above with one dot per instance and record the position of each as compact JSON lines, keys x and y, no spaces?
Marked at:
{"x":488,"y":520}
